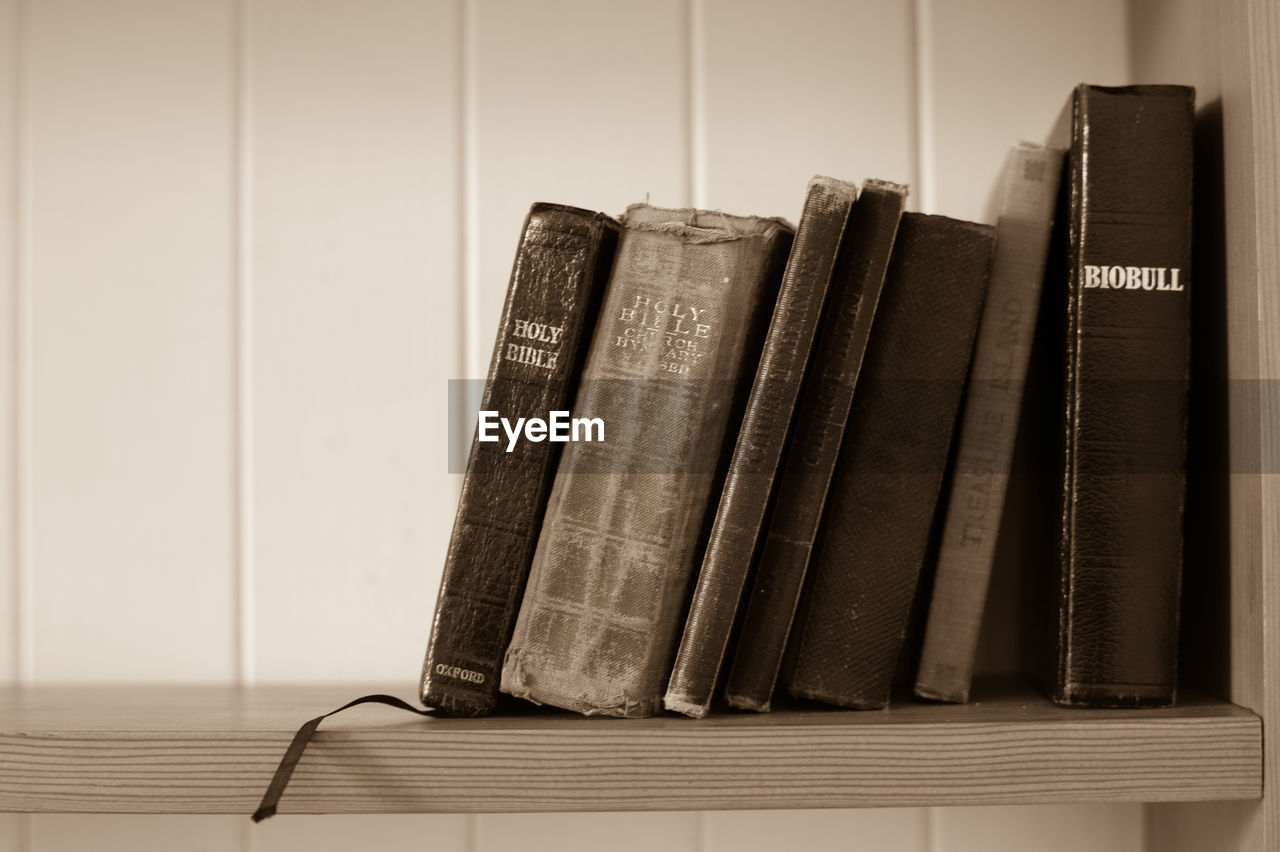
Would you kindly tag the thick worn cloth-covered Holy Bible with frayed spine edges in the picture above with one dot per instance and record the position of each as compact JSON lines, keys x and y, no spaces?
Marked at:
{"x":669,"y":370}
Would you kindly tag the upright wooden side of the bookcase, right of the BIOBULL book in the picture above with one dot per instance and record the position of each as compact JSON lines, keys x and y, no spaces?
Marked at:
{"x":1231,"y":52}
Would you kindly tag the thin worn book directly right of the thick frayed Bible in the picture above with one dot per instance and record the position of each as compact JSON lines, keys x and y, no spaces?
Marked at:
{"x":744,"y":500}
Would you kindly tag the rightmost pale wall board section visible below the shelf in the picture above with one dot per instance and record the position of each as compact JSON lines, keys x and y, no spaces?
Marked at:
{"x":1045,"y":828}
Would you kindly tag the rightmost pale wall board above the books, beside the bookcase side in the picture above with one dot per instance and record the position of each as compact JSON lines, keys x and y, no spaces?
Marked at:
{"x":1002,"y":72}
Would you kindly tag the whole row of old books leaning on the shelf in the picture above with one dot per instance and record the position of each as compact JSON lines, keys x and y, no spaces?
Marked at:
{"x":796,"y":425}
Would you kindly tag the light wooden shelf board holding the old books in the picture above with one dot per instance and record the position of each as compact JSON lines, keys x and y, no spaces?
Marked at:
{"x":212,"y":750}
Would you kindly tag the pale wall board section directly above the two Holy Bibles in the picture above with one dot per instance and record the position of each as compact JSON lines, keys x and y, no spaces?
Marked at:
{"x":579,"y":103}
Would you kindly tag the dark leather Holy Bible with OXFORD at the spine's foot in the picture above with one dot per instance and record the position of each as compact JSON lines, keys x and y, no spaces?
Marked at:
{"x":557,"y":281}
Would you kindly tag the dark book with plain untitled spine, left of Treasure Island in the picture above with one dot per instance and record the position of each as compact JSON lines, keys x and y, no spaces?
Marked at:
{"x":881,"y":503}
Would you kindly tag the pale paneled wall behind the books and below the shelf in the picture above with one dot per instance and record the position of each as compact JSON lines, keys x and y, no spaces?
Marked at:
{"x":246,"y":244}
